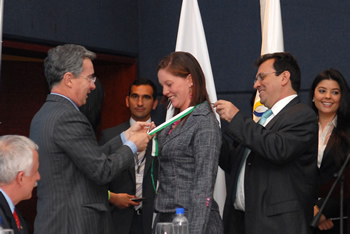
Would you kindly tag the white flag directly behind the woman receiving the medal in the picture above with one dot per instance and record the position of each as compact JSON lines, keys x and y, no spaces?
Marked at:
{"x":191,"y":38}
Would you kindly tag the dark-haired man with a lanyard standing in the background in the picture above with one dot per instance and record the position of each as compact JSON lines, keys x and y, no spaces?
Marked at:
{"x":129,"y":216}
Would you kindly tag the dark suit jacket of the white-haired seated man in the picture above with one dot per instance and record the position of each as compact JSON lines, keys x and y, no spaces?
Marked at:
{"x":7,"y":219}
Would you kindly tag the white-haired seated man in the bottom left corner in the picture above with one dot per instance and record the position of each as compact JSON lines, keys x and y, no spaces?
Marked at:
{"x":19,"y":166}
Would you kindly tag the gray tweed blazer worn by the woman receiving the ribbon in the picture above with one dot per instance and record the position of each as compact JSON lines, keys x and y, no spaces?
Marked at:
{"x":188,"y":160}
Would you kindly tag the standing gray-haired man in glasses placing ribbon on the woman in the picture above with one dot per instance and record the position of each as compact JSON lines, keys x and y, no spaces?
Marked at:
{"x":73,"y":193}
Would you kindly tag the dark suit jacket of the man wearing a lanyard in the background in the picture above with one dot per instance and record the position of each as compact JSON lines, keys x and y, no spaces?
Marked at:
{"x":126,"y":183}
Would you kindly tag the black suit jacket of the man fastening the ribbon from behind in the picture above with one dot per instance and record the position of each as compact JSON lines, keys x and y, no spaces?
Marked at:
{"x":281,"y":170}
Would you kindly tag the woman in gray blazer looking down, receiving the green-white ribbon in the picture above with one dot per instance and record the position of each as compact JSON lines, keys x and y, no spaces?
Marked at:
{"x":189,"y":148}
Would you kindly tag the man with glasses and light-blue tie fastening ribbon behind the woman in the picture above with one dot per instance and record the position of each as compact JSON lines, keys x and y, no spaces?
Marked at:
{"x":272,"y":173}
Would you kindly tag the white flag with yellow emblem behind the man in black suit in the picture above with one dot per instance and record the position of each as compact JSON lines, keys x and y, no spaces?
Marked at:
{"x":272,"y":40}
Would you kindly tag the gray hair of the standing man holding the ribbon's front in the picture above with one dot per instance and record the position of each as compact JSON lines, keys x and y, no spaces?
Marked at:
{"x":63,"y":59}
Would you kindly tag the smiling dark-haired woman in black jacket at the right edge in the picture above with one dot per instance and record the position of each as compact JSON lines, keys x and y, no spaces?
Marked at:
{"x":330,"y":99}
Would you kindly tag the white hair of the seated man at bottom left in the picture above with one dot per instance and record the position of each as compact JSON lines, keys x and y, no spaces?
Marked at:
{"x":16,"y":154}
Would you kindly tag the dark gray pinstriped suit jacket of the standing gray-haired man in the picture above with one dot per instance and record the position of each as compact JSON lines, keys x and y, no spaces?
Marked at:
{"x":72,"y":192}
